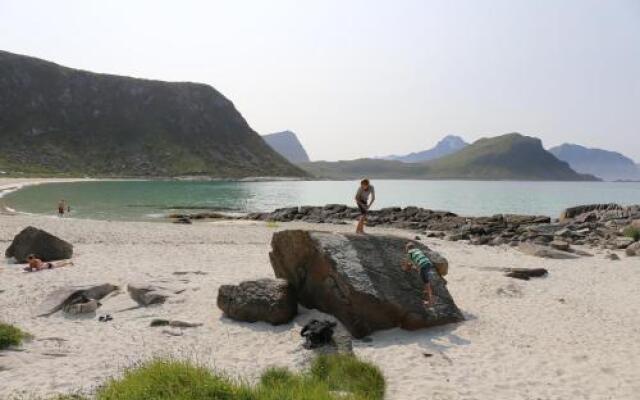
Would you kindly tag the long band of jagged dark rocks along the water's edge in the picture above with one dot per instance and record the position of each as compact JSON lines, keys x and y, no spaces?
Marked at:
{"x":597,"y":225}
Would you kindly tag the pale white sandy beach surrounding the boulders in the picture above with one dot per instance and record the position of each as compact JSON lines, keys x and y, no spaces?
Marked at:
{"x":571,"y":335}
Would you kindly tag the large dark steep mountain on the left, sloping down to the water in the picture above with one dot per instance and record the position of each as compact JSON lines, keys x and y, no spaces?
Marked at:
{"x":58,"y":120}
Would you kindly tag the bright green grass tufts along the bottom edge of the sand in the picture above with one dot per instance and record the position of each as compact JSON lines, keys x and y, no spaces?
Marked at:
{"x":330,"y":377}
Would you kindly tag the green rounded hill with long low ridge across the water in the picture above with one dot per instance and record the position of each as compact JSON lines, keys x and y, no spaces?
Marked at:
{"x":507,"y":157}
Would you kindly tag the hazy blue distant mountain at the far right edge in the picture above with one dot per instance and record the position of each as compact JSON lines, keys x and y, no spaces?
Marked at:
{"x":605,"y":164}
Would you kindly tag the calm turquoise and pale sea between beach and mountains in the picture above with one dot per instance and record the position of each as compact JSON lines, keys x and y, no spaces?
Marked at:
{"x":136,"y":200}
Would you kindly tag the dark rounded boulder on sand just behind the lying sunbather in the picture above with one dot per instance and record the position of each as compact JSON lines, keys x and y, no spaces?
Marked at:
{"x":43,"y":244}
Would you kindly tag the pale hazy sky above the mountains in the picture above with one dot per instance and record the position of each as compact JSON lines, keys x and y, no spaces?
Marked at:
{"x":362,"y":78}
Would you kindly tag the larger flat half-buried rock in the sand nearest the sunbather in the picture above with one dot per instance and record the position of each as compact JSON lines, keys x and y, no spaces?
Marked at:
{"x":75,"y":300}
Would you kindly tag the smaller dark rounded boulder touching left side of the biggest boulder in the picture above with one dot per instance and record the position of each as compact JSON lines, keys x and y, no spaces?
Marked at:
{"x":268,"y":300}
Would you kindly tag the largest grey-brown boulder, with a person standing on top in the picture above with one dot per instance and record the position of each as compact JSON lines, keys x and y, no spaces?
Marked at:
{"x":359,"y":280}
